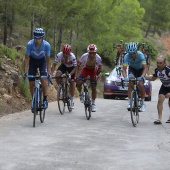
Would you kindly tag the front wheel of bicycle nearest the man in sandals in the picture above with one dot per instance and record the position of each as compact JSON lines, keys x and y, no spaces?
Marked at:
{"x":134,"y":108}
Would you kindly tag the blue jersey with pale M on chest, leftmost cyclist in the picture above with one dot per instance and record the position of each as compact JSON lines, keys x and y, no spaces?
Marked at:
{"x":35,"y":53}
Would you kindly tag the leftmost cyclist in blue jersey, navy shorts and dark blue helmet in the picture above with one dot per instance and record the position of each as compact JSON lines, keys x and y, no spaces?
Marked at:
{"x":38,"y":57}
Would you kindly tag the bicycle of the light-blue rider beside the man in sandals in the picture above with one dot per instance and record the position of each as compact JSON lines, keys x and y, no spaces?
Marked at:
{"x":135,"y":100}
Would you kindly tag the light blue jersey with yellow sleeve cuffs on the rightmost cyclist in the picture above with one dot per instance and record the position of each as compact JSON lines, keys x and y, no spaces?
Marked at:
{"x":137,"y":63}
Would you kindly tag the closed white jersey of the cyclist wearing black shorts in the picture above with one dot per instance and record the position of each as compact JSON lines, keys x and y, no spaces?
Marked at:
{"x":70,"y":62}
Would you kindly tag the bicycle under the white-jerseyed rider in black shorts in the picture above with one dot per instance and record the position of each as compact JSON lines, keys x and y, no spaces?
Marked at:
{"x":63,"y":93}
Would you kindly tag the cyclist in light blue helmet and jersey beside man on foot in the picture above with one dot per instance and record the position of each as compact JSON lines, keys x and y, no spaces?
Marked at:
{"x":137,"y":68}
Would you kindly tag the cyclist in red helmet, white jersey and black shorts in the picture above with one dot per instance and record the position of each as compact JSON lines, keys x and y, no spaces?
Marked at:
{"x":69,"y":64}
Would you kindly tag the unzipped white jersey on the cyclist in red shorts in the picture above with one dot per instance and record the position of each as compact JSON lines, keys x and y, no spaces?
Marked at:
{"x":84,"y":58}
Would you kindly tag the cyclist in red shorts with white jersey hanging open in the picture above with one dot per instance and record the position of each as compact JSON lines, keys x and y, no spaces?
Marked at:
{"x":92,"y":64}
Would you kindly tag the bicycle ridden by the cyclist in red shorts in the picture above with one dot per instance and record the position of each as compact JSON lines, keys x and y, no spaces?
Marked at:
{"x":87,"y":98}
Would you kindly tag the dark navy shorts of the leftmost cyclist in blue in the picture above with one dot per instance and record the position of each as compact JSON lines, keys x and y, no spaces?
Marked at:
{"x":34,"y":65}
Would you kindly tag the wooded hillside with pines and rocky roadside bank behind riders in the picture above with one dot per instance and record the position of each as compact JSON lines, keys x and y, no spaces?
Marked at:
{"x":78,"y":23}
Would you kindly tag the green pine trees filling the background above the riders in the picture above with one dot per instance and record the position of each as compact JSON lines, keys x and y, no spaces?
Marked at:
{"x":80,"y":23}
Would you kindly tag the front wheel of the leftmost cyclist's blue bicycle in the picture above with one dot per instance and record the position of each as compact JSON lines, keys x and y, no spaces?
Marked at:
{"x":35,"y":105}
